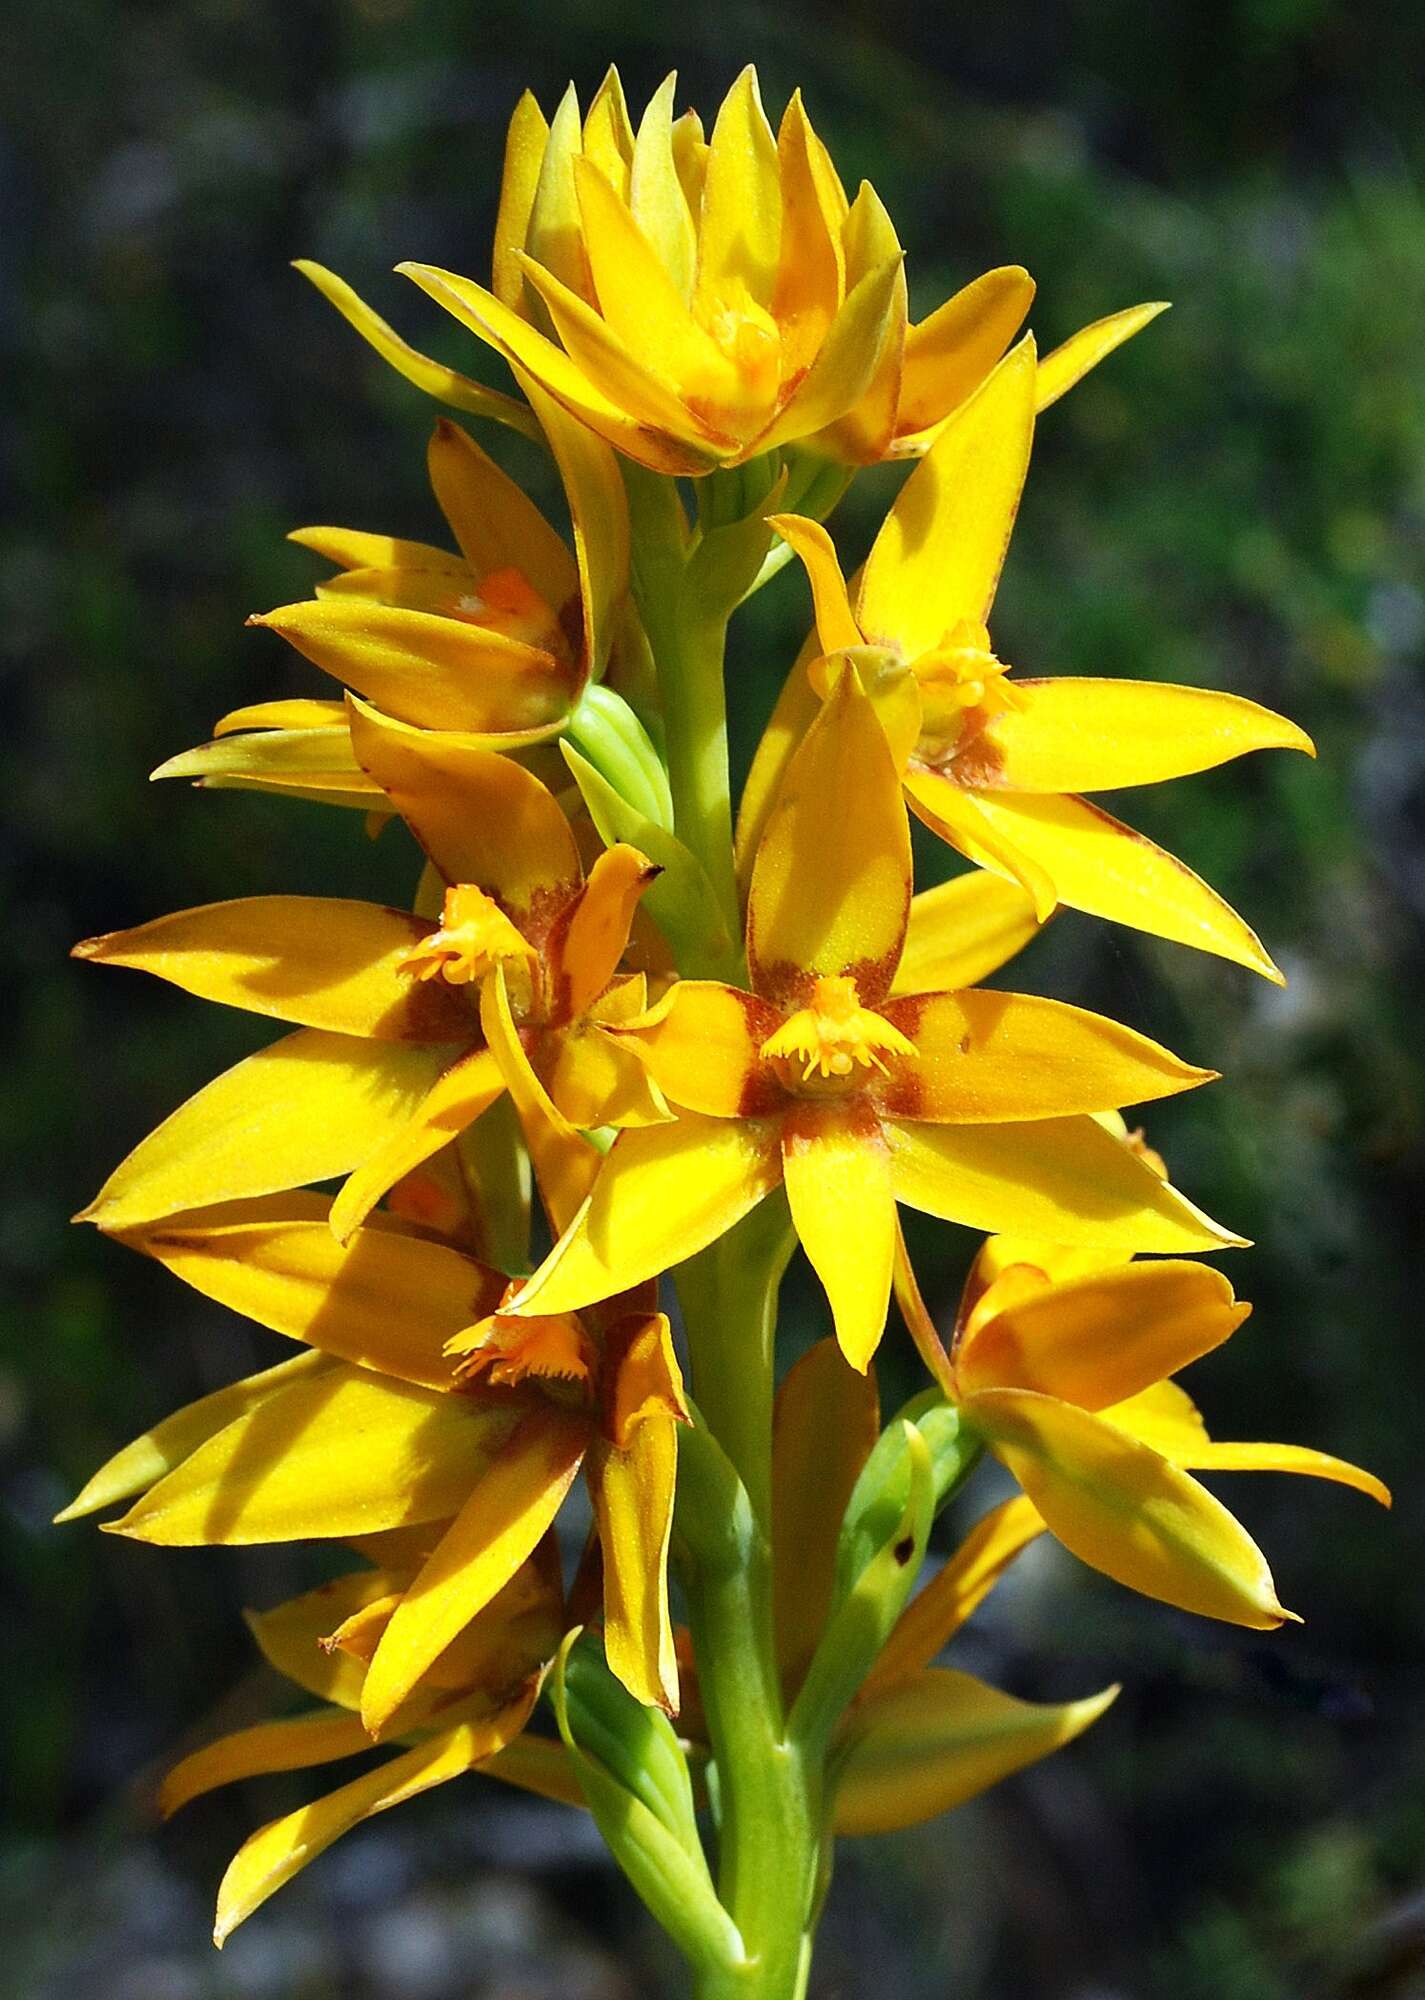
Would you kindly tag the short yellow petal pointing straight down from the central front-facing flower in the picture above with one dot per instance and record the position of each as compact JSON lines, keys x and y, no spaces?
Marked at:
{"x":838,"y":1171}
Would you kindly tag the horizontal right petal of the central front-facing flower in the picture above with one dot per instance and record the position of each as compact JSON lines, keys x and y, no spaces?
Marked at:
{"x":988,"y":1059}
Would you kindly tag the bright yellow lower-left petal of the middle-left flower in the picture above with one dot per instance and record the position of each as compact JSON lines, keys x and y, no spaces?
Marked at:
{"x":307,"y":1109}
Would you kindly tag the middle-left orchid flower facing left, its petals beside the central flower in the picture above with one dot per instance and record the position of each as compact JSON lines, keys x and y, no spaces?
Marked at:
{"x":409,"y":1031}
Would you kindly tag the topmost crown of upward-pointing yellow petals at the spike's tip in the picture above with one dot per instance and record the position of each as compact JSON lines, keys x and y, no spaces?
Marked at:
{"x":703,"y":303}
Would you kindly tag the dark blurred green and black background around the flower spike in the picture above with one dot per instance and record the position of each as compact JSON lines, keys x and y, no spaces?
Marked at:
{"x":1238,"y":501}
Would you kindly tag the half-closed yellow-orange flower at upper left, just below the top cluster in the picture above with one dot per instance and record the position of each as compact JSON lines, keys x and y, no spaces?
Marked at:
{"x":495,"y":641}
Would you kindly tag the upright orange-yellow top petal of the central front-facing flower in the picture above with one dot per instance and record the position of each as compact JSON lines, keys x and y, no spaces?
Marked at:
{"x":832,"y":883}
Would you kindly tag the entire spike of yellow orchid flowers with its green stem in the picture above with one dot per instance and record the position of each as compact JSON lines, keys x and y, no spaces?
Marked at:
{"x":697,"y":1039}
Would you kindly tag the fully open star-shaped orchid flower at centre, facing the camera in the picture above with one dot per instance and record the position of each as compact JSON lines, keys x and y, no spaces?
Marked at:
{"x":966,"y":1105}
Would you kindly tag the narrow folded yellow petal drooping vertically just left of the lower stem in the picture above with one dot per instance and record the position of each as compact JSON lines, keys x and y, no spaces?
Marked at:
{"x":633,"y":1507}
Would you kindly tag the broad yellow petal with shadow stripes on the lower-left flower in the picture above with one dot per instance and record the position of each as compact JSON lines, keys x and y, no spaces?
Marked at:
{"x":341,"y":1455}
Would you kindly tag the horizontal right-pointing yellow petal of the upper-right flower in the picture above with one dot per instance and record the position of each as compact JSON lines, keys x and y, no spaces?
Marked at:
{"x":1094,"y":735}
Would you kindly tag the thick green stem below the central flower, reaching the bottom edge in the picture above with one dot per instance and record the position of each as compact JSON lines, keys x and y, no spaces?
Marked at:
{"x":770,"y":1791}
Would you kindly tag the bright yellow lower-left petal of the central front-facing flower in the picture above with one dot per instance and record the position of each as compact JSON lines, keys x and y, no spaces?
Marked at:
{"x":663,"y":1195}
